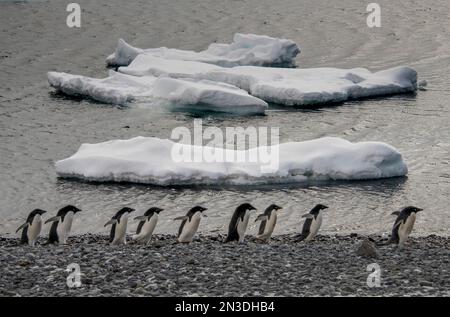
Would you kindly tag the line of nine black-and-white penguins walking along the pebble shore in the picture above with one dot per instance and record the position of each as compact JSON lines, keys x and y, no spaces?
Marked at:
{"x":62,"y":224}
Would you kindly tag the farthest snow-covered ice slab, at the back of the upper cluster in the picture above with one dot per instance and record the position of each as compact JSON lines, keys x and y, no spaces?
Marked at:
{"x":246,"y":49}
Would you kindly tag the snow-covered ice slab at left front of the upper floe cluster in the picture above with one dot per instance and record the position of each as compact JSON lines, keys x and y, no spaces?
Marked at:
{"x":120,"y":89}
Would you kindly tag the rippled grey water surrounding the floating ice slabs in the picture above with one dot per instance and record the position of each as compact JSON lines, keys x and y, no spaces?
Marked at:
{"x":38,"y":127}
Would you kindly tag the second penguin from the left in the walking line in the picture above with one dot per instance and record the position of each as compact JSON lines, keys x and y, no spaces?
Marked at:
{"x":62,"y":224}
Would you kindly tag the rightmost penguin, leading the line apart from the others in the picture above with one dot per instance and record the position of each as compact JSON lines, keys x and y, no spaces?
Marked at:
{"x":403,"y":225}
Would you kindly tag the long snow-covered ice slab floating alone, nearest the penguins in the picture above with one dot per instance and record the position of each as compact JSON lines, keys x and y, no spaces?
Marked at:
{"x":150,"y":160}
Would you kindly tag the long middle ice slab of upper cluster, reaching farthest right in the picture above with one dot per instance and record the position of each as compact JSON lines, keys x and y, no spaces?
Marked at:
{"x":287,"y":86}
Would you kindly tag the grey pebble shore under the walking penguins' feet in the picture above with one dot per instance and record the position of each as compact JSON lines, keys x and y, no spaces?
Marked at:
{"x":329,"y":266}
